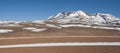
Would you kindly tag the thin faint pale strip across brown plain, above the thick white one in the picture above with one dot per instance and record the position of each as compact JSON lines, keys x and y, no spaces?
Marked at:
{"x":61,"y":37}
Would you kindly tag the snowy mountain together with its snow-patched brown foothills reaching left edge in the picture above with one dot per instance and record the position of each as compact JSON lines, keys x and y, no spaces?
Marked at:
{"x":63,"y":20}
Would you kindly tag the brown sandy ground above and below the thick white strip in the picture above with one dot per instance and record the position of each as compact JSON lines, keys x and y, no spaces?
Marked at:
{"x":60,"y":49}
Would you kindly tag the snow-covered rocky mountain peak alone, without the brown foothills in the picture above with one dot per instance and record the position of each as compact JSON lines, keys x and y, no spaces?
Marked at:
{"x":85,"y":18}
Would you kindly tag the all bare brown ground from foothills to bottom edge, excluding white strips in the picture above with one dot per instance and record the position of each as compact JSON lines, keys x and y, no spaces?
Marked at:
{"x":19,"y":32}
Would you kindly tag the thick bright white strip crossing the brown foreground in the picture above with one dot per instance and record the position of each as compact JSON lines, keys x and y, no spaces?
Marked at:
{"x":63,"y":44}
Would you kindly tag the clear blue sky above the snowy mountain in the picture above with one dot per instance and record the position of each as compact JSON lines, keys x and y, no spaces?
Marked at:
{"x":21,"y":10}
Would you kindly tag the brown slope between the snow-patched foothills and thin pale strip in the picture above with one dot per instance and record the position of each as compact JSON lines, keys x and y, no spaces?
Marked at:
{"x":18,"y":32}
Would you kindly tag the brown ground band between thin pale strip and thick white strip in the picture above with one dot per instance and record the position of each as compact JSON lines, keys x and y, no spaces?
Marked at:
{"x":48,"y":40}
